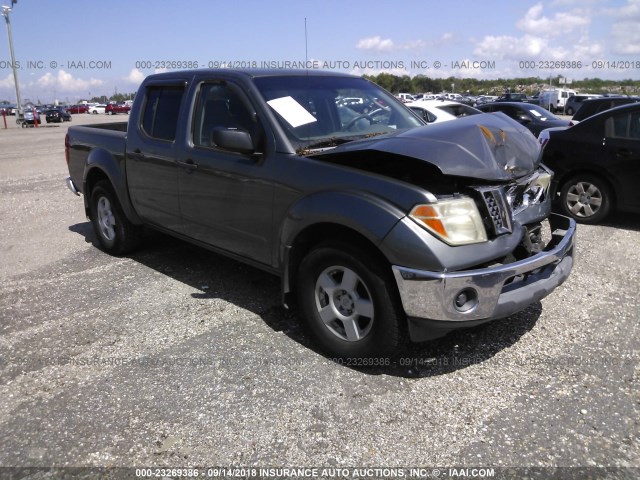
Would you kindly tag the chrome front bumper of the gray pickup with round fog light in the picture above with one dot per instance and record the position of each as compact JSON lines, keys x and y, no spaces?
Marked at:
{"x":488,"y":293}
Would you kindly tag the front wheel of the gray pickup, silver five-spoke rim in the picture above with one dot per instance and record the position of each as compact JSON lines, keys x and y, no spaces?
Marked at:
{"x":349,"y":303}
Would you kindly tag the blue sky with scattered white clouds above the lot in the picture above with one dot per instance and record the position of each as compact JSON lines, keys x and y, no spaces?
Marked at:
{"x":69,"y":50}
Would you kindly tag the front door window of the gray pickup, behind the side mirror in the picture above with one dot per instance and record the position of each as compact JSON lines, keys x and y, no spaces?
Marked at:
{"x":219,"y":106}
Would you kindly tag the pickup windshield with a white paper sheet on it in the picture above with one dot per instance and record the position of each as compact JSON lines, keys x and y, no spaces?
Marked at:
{"x":323,"y":111}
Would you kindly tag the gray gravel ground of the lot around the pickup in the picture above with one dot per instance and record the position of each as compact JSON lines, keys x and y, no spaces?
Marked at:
{"x":174,"y":356}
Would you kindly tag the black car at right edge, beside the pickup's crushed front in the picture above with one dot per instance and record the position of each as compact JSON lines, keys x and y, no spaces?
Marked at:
{"x":597,"y":164}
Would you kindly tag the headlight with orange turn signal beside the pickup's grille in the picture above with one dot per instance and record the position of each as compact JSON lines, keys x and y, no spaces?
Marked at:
{"x":456,"y":222}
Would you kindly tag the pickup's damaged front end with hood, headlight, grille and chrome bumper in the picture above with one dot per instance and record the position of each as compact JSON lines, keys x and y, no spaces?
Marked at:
{"x":498,"y":246}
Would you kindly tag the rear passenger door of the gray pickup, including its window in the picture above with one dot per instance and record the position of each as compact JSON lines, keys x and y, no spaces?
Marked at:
{"x":152,"y":171}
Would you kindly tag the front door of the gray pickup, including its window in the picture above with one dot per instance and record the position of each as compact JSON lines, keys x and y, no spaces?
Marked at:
{"x":226,"y":197}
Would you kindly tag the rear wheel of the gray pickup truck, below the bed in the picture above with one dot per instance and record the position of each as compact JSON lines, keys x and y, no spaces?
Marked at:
{"x":116,"y":234}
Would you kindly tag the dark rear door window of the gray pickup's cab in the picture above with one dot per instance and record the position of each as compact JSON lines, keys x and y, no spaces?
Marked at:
{"x":161,"y":109}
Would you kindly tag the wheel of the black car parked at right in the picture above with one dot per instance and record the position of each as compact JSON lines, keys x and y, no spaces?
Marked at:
{"x":586,"y":198}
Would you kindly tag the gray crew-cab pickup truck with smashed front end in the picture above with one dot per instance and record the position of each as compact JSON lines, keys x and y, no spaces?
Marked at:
{"x":381,"y":228}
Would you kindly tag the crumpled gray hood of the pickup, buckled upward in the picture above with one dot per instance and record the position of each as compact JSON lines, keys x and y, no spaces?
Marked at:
{"x":488,"y":146}
